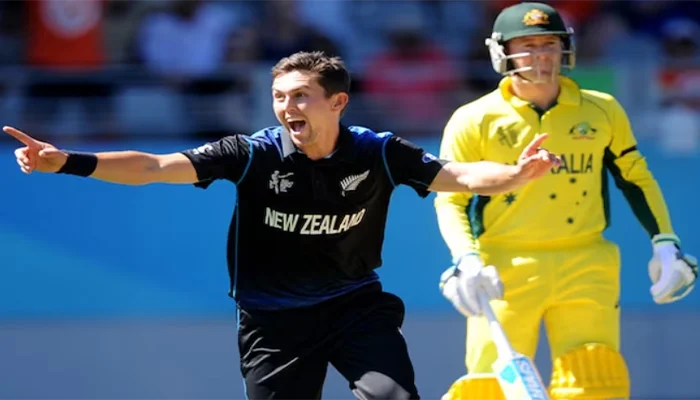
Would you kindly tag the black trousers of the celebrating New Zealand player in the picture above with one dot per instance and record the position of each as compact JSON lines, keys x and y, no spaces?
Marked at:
{"x":285,"y":354}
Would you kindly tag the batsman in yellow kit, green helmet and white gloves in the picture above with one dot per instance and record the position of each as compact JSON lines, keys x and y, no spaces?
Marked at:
{"x":539,"y":251}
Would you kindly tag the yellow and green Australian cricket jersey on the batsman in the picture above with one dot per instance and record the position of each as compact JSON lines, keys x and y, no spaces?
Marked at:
{"x":588,"y":129}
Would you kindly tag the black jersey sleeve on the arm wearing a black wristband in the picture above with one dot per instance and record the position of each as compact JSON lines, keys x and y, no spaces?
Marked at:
{"x":227,"y":158}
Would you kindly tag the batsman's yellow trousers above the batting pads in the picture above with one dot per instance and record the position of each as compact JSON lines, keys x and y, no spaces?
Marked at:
{"x":575,"y":289}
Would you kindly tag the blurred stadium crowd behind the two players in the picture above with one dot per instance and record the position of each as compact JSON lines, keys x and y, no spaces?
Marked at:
{"x":120,"y":69}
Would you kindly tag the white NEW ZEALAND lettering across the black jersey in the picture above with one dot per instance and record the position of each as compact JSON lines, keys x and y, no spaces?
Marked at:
{"x":312,"y":224}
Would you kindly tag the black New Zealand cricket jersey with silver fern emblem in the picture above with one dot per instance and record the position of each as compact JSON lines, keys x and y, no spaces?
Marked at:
{"x":305,"y":231}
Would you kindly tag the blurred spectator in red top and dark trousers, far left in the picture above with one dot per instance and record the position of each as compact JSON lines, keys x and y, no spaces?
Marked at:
{"x":65,"y":46}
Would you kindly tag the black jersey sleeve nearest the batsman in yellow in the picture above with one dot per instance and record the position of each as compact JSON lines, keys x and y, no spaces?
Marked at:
{"x":410,"y":165}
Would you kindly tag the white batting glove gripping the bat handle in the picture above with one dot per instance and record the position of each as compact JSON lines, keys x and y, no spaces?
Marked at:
{"x":460,"y":284}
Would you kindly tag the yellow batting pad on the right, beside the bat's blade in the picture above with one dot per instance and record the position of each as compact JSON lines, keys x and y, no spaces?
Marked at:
{"x":590,"y":372}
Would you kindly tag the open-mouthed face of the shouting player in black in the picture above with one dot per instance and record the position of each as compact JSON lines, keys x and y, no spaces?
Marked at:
{"x":302,"y":107}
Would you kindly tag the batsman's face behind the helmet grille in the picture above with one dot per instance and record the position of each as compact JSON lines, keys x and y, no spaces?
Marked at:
{"x":537,"y":58}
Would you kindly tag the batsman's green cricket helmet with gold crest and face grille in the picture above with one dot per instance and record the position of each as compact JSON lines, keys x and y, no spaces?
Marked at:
{"x":528,"y":19}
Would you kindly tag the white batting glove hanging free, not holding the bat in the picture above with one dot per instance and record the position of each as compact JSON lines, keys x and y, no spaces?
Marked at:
{"x":672,"y":273}
